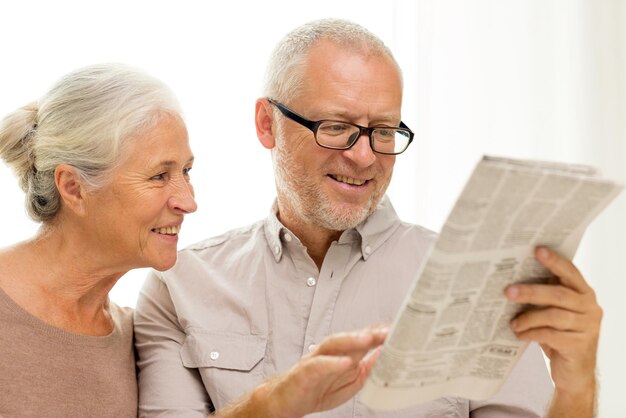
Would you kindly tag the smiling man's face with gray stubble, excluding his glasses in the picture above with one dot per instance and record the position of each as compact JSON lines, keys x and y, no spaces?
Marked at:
{"x":332,"y":189}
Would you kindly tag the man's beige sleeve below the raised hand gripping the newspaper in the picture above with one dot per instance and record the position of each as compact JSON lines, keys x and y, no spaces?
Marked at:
{"x":526,"y":393}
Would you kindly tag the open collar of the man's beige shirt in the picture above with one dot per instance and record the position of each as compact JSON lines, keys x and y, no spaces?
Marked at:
{"x":372,"y":232}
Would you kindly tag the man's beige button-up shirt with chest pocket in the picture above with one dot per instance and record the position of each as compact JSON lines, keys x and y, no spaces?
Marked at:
{"x":247,"y":305}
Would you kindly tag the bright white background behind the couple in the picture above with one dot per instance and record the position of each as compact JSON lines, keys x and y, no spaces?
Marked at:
{"x":527,"y":79}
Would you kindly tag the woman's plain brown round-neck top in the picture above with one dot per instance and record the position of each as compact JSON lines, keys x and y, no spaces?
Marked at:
{"x":48,"y":372}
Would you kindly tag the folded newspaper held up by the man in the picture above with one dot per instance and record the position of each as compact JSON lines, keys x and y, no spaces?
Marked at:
{"x":452,"y":336}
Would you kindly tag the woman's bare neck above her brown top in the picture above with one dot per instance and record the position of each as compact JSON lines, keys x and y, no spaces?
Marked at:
{"x":50,"y":277}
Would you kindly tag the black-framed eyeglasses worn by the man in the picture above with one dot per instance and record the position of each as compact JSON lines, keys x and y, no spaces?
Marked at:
{"x":334,"y":134}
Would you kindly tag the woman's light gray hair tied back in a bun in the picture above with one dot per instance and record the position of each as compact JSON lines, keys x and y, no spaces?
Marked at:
{"x":84,"y":121}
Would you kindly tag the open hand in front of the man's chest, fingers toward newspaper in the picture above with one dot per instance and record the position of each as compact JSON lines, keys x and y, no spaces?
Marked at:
{"x":323,"y":379}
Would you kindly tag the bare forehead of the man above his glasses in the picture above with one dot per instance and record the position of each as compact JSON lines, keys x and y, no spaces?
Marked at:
{"x":345,"y":79}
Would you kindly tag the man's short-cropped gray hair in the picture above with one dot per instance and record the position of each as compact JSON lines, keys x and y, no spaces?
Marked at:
{"x":285,"y":70}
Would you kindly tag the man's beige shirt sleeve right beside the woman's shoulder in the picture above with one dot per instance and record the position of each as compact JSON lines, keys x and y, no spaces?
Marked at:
{"x":166,"y":387}
